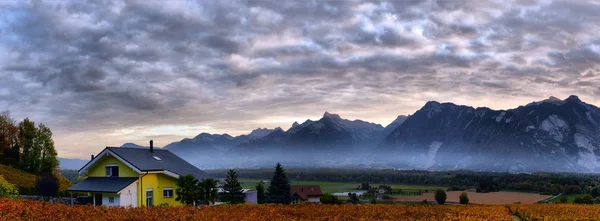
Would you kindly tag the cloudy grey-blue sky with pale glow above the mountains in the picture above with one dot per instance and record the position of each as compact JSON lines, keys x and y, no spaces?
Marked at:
{"x":102,"y":73}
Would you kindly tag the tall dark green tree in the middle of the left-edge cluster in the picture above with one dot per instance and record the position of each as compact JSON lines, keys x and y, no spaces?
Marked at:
{"x":31,"y":154}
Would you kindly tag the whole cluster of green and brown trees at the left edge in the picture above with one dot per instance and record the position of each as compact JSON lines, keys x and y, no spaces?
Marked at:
{"x":27,"y":146}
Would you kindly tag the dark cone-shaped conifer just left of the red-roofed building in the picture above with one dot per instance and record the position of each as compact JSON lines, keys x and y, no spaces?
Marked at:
{"x":279,"y":190}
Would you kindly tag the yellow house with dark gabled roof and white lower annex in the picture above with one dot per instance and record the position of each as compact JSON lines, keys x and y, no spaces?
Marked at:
{"x":120,"y":176}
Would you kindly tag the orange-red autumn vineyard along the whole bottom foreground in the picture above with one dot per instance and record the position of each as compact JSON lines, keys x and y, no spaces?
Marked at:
{"x":35,"y":210}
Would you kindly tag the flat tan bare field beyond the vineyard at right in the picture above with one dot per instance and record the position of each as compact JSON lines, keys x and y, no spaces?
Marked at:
{"x":478,"y":198}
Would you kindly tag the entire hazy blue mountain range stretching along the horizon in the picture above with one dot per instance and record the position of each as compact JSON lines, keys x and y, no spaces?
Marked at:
{"x":549,"y":135}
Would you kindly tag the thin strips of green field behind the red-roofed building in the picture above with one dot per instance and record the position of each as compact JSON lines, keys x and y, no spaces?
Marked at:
{"x":333,"y":187}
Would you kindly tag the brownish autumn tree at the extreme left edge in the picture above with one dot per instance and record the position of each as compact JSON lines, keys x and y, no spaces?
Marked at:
{"x":9,"y":140}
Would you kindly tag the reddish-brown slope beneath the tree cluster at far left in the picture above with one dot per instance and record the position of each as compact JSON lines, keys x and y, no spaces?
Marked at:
{"x":26,"y":181}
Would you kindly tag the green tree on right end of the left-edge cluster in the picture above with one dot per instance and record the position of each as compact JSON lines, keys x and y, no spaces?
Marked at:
{"x":44,"y":139}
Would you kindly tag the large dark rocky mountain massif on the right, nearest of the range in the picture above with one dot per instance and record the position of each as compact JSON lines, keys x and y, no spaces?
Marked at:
{"x":544,"y":136}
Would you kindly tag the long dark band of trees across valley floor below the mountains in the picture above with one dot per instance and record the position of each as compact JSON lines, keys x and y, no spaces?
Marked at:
{"x":546,"y":183}
